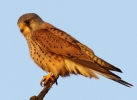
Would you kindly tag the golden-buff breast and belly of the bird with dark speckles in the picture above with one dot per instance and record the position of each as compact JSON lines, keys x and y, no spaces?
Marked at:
{"x":46,"y":60}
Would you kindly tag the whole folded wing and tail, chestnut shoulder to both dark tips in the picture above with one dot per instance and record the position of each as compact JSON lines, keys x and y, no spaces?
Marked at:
{"x":74,"y":51}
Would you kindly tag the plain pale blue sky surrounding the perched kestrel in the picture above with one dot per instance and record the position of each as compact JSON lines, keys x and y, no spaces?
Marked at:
{"x":109,"y":27}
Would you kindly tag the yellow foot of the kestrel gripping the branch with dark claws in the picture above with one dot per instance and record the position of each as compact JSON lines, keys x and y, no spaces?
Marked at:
{"x":50,"y":77}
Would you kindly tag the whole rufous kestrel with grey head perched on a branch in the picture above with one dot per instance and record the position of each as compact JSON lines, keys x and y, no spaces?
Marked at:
{"x":60,"y":54}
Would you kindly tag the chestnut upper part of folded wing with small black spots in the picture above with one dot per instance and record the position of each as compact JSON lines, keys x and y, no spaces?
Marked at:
{"x":52,"y":43}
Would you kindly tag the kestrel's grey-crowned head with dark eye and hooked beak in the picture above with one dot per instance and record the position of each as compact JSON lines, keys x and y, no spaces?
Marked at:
{"x":28,"y":23}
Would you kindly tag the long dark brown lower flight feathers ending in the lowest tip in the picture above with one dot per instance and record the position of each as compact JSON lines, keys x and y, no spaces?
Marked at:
{"x":104,"y":71}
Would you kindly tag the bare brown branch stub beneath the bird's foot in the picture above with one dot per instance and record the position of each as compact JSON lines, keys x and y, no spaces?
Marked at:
{"x":43,"y":92}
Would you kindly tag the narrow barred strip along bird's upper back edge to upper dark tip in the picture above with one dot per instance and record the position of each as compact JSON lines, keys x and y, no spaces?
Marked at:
{"x":83,"y":48}
